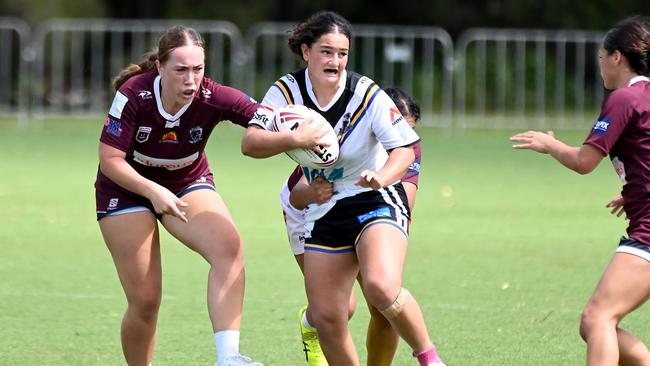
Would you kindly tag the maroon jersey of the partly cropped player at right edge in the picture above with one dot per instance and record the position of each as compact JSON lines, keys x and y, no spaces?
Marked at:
{"x":623,"y":132}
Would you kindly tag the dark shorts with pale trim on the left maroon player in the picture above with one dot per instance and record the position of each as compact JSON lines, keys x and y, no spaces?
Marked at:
{"x":113,"y":200}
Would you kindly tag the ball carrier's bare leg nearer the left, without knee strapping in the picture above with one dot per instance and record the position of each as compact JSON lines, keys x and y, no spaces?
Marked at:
{"x":329,"y":278}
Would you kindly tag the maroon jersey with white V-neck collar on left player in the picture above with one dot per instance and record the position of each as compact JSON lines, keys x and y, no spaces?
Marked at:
{"x":166,"y":149}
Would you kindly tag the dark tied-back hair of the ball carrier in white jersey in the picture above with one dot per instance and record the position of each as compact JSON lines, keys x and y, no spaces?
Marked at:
{"x":313,"y":28}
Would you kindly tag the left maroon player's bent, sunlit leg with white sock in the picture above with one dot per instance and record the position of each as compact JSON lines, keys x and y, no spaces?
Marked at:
{"x":211,"y":232}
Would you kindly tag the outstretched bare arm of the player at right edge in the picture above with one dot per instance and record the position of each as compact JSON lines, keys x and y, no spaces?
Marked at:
{"x":583,"y":159}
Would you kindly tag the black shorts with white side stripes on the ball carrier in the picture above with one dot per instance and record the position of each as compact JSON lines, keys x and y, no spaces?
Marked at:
{"x":340,"y":229}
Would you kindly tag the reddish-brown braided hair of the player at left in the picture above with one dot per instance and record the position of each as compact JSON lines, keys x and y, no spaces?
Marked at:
{"x":172,"y":38}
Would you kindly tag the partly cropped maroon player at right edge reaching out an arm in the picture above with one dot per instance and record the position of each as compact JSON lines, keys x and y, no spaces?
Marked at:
{"x":621,"y":131}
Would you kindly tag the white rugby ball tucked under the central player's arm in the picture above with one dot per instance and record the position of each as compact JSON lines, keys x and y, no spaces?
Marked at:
{"x":289,"y":117}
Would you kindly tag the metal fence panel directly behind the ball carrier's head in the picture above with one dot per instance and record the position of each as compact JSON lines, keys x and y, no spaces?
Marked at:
{"x":417,"y":59}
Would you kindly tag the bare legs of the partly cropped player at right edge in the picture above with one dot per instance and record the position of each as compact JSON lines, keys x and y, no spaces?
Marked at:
{"x":624,"y":286}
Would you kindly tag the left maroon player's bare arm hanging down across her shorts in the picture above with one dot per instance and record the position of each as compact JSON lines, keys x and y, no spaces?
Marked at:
{"x":113,"y":165}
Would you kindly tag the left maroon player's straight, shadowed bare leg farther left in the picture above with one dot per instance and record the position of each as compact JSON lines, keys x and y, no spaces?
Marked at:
{"x":134,"y":244}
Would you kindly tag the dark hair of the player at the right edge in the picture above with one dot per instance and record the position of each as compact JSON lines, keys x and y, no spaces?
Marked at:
{"x":631,"y":37}
